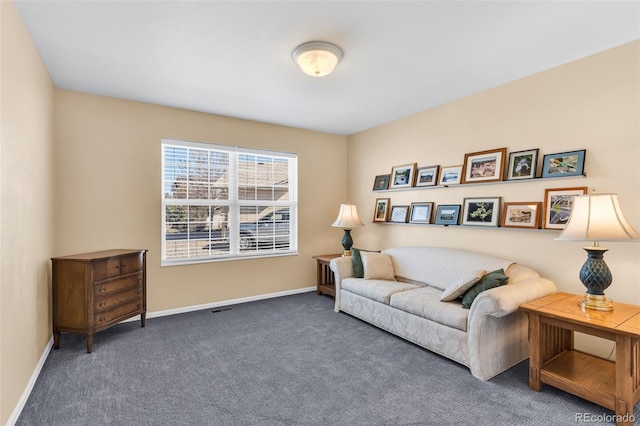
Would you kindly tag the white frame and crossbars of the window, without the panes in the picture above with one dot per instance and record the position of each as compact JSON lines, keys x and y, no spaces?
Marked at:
{"x":233,"y":203}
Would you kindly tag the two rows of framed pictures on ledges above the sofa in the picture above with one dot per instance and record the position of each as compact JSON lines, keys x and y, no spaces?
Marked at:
{"x":482,"y":167}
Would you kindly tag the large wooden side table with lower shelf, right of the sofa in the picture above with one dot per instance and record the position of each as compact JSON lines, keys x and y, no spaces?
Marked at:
{"x":554,"y":361}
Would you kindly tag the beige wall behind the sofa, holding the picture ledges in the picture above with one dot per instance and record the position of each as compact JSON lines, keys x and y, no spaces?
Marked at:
{"x":592,"y":103}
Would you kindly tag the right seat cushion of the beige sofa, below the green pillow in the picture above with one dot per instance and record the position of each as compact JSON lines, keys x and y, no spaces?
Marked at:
{"x":425,"y":302}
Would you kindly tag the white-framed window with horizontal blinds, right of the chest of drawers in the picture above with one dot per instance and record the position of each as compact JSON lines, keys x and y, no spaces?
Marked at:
{"x":221,"y":202}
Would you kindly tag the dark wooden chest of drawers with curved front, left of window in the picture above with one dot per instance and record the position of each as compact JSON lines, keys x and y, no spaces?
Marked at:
{"x":93,"y":291}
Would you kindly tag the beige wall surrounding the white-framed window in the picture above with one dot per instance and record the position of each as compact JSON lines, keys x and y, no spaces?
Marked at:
{"x":108,"y":193}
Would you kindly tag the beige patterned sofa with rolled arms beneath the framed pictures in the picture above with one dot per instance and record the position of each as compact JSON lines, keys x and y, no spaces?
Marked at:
{"x":401,"y":289}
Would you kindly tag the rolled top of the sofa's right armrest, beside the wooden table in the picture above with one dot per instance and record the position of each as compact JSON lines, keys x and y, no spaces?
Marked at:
{"x":504,"y":300}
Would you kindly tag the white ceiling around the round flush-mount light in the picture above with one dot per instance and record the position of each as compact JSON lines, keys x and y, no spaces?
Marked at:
{"x":233,"y":58}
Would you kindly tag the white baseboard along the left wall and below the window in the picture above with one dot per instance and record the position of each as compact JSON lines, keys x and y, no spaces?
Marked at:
{"x":36,"y":372}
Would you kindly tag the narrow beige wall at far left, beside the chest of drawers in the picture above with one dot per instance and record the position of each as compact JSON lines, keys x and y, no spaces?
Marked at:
{"x":26,"y":207}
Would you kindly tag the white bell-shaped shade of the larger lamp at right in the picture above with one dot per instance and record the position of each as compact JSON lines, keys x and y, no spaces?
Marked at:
{"x":598,"y":217}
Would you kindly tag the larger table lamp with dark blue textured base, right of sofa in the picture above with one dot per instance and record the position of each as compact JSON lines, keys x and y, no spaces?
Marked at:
{"x":596,"y":218}
